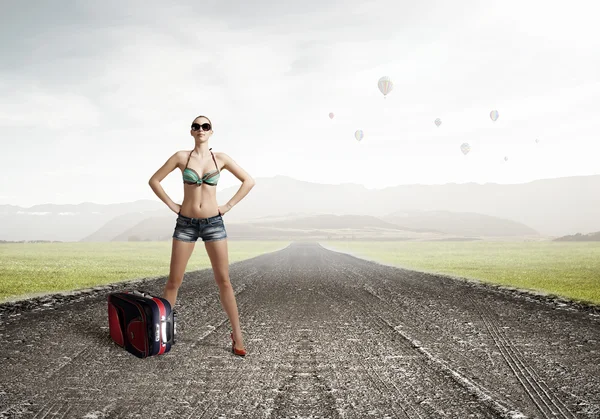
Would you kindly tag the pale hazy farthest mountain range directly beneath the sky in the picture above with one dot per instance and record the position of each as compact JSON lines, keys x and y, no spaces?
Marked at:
{"x":548,"y":207}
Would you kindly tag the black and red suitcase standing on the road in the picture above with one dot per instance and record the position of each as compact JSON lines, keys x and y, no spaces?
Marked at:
{"x":140,"y":323}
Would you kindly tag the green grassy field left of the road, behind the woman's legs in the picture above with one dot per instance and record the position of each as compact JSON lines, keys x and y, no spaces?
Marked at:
{"x":28,"y":269}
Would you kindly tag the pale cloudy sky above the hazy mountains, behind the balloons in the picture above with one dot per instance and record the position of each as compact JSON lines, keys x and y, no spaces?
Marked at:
{"x":96,"y":96}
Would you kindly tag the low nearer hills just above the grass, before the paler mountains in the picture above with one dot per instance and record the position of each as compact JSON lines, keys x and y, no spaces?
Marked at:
{"x":328,"y":226}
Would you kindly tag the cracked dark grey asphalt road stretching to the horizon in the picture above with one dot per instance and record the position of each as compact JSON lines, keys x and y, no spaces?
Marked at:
{"x":328,"y":335}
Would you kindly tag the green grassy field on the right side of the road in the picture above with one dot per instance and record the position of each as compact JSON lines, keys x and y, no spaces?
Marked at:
{"x":568,"y":269}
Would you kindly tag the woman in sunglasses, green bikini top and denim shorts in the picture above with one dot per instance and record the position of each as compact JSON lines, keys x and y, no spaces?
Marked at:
{"x":196,"y":217}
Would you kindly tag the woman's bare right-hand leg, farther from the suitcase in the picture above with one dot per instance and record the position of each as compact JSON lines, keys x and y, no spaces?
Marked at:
{"x":219,"y":259}
